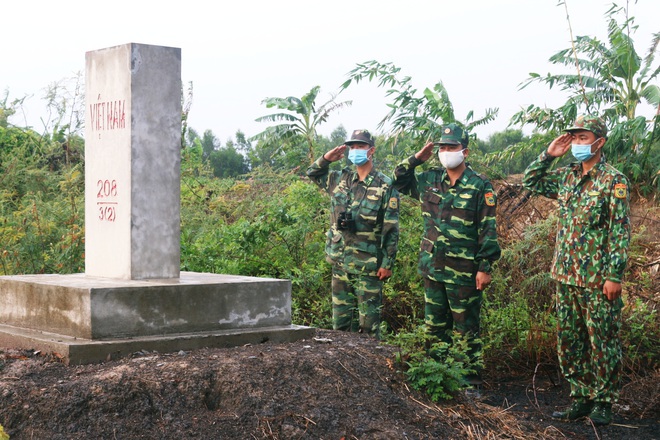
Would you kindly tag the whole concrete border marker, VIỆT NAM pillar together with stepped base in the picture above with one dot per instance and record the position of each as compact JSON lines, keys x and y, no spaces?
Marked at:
{"x":132,"y":296}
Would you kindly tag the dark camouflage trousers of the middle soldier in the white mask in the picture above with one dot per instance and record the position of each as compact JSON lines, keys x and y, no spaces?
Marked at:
{"x":452,"y":307}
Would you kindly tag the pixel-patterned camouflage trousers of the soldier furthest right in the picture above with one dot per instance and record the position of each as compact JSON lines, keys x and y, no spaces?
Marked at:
{"x":588,"y":343}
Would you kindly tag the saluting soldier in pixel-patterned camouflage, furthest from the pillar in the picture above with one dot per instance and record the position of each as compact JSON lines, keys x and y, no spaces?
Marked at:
{"x":589,"y":262}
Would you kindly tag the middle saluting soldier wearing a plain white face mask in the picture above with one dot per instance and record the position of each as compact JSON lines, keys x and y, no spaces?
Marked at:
{"x":459,"y":244}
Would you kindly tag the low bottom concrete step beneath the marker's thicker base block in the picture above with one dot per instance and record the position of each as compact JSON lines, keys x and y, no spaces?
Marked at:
{"x":76,"y":351}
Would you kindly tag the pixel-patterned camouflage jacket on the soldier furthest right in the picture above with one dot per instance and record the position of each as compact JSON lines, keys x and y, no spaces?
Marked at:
{"x":594,"y":229}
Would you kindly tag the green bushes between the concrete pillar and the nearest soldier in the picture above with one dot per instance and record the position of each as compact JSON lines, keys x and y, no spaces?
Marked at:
{"x":279,"y":234}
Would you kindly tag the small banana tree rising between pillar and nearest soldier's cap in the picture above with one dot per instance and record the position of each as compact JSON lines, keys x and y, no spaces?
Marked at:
{"x":298,"y":122}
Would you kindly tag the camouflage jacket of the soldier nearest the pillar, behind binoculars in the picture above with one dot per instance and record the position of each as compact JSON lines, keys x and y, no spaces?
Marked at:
{"x":374,"y":205}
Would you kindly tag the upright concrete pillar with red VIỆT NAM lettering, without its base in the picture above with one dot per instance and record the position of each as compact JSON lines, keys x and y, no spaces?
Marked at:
{"x":132,"y":162}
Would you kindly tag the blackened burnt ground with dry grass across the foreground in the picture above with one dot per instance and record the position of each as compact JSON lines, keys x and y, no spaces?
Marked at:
{"x":334,"y":386}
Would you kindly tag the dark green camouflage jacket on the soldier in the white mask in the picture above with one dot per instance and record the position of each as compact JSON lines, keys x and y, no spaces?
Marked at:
{"x":460,"y":235}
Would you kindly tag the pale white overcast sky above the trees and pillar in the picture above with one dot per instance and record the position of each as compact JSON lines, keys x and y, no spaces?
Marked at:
{"x":237,"y":53}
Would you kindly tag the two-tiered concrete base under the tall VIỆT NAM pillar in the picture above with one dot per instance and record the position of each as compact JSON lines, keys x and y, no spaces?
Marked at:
{"x":92,"y":319}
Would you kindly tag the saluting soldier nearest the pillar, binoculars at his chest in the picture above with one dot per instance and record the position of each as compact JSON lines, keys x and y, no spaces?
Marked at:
{"x":364,"y":231}
